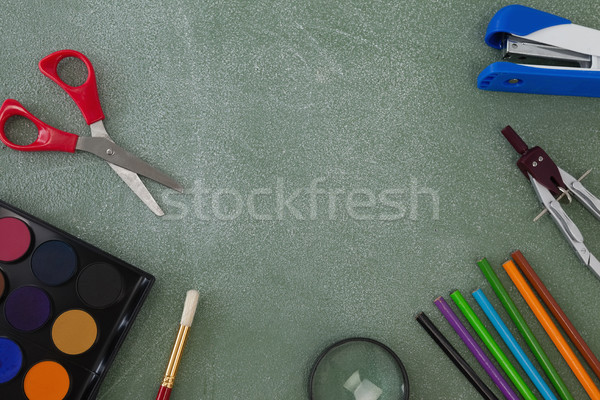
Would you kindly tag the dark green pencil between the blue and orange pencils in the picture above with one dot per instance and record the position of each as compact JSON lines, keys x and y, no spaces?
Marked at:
{"x":528,"y":335}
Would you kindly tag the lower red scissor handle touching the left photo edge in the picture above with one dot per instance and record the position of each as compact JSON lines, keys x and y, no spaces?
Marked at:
{"x":49,"y":138}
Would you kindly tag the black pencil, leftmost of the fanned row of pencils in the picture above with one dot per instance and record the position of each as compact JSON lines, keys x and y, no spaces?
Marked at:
{"x":456,"y":358}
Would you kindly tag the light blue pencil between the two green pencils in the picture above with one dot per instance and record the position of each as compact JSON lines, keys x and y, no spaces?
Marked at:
{"x":513,"y":345}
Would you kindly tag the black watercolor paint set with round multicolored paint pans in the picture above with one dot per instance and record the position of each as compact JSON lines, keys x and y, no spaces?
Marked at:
{"x":65,"y":309}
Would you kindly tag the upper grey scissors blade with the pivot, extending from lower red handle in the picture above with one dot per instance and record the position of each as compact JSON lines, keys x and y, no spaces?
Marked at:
{"x":114,"y":154}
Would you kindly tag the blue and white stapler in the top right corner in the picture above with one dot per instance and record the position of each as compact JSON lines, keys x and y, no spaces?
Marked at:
{"x":543,"y":53}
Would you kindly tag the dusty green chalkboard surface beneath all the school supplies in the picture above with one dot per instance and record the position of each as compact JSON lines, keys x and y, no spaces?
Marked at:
{"x":341,"y":169}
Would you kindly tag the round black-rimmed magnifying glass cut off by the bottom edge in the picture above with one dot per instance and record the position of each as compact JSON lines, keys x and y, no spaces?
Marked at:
{"x":358,"y":369}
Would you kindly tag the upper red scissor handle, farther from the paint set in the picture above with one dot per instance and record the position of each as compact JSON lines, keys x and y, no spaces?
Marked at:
{"x":85,"y":95}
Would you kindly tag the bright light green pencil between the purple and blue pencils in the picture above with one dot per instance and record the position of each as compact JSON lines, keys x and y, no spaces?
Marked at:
{"x":492,"y":346}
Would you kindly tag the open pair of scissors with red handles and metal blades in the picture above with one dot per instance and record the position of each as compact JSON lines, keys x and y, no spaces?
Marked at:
{"x":125,"y":164}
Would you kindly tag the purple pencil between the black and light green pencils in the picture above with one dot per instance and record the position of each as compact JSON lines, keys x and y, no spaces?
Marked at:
{"x":479,"y":354}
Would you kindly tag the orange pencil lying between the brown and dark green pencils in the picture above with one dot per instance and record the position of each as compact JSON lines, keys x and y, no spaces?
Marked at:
{"x":551,"y":329}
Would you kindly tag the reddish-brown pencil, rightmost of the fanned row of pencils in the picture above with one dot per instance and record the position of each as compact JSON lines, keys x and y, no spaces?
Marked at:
{"x":558,"y":313}
